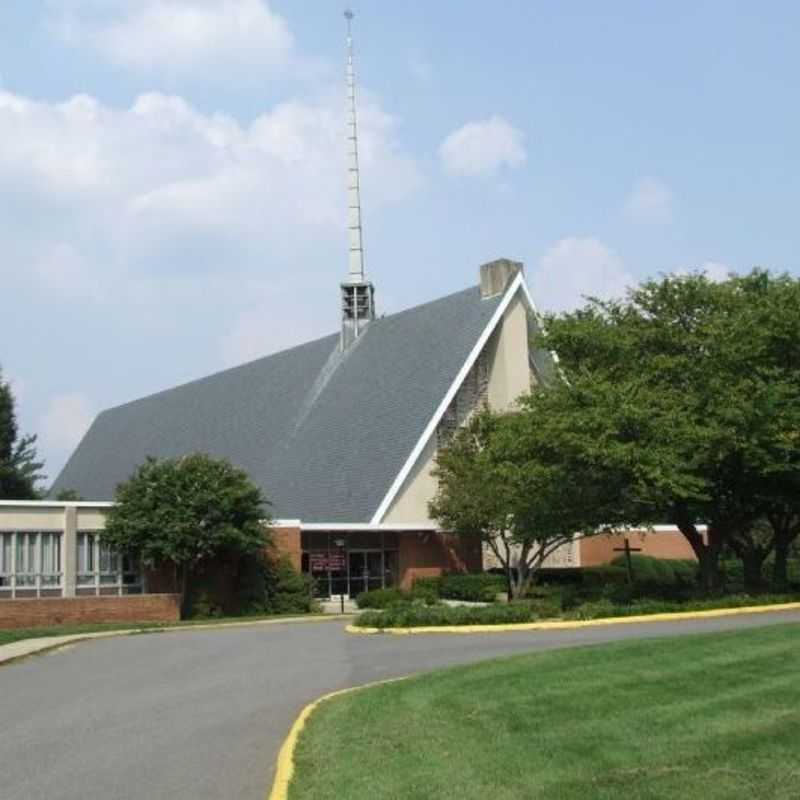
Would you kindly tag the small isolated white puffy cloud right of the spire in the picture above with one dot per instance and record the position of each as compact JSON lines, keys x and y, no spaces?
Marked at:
{"x":483,"y":147}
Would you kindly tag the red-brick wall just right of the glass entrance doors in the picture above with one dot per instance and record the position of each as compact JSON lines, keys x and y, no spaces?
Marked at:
{"x":429,"y":555}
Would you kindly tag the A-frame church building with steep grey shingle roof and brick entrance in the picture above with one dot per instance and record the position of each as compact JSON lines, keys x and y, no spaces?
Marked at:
{"x":340,"y":433}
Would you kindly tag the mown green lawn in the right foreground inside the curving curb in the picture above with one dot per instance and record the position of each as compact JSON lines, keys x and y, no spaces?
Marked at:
{"x":712,"y":717}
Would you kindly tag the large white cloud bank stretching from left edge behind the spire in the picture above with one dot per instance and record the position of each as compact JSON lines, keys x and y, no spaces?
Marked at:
{"x":124,"y":189}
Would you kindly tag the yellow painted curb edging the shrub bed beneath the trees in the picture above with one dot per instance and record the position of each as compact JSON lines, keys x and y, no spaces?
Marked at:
{"x":571,"y":624}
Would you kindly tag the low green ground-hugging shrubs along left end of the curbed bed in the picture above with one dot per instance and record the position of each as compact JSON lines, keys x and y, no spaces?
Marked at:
{"x":411,"y":615}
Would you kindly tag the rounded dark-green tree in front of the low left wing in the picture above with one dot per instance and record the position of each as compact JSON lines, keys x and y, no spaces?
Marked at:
{"x":185,"y":511}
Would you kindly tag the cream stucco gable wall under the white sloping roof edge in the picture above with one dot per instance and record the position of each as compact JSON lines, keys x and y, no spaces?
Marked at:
{"x":509,"y":376}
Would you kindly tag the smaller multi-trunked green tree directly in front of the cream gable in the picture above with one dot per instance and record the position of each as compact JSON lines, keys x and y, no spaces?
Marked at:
{"x":501,"y":478}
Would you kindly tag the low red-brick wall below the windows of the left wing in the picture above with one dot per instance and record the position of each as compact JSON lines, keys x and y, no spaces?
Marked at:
{"x":84,"y":610}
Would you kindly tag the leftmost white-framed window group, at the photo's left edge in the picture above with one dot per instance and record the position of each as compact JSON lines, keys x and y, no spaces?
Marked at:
{"x":30,"y":563}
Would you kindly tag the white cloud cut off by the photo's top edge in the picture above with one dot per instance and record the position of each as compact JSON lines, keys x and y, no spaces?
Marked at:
{"x":177,"y":35}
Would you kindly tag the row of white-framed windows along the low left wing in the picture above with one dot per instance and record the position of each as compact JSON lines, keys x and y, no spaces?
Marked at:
{"x":31,"y":565}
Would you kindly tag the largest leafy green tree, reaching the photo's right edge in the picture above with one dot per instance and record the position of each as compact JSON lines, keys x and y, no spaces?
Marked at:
{"x":693,"y":388}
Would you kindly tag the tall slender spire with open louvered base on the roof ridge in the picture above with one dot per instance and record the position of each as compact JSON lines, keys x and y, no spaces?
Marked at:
{"x":358,"y":294}
